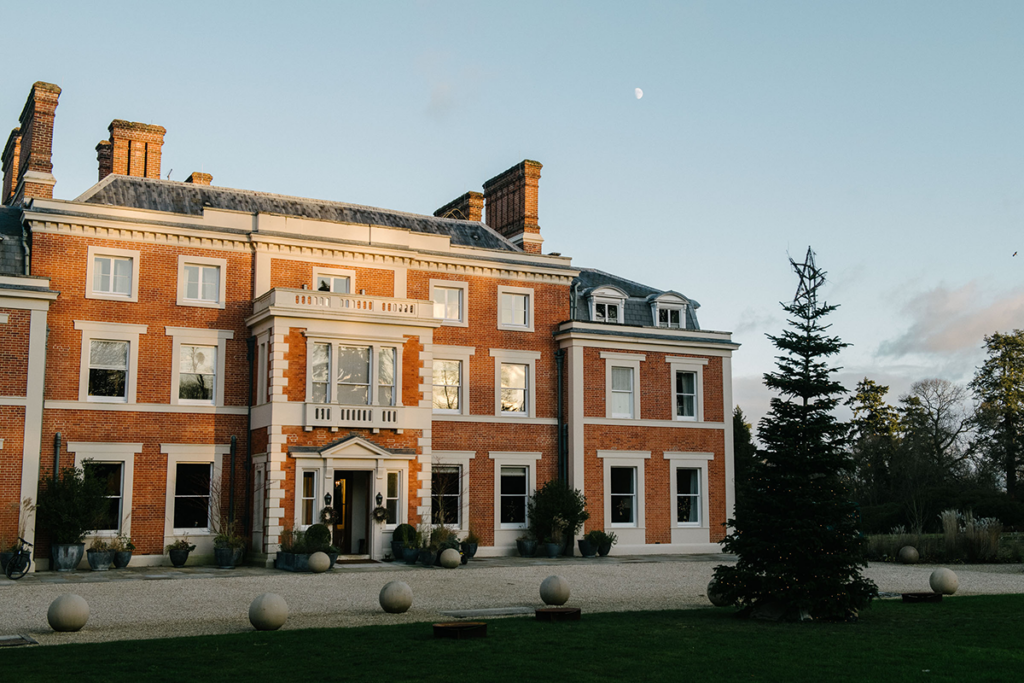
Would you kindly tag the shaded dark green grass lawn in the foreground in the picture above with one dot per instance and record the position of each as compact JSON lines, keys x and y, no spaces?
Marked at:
{"x":960,"y":639}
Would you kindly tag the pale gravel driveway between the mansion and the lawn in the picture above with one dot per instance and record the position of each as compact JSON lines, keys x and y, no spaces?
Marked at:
{"x":158,"y":603}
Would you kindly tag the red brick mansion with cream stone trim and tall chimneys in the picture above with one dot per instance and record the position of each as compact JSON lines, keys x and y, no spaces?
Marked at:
{"x":223,"y":353}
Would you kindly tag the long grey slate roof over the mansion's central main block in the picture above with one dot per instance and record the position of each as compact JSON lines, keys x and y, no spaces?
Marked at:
{"x":185,"y":198}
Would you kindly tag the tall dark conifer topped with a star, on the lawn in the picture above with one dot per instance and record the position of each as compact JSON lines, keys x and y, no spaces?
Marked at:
{"x":796,"y":536}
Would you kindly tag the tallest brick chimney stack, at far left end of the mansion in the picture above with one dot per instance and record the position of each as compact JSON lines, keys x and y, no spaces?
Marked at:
{"x":27,"y":157}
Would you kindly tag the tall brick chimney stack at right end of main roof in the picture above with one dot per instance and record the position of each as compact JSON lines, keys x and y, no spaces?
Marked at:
{"x":511,"y":205}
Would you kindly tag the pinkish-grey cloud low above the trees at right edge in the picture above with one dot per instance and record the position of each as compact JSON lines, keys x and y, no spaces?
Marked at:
{"x":951,"y":322}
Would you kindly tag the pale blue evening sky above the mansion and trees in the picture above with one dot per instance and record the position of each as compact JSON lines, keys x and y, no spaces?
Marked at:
{"x":886,"y":136}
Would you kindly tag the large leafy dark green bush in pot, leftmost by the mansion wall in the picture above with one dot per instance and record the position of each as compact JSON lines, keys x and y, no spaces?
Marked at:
{"x":70,"y":505}
